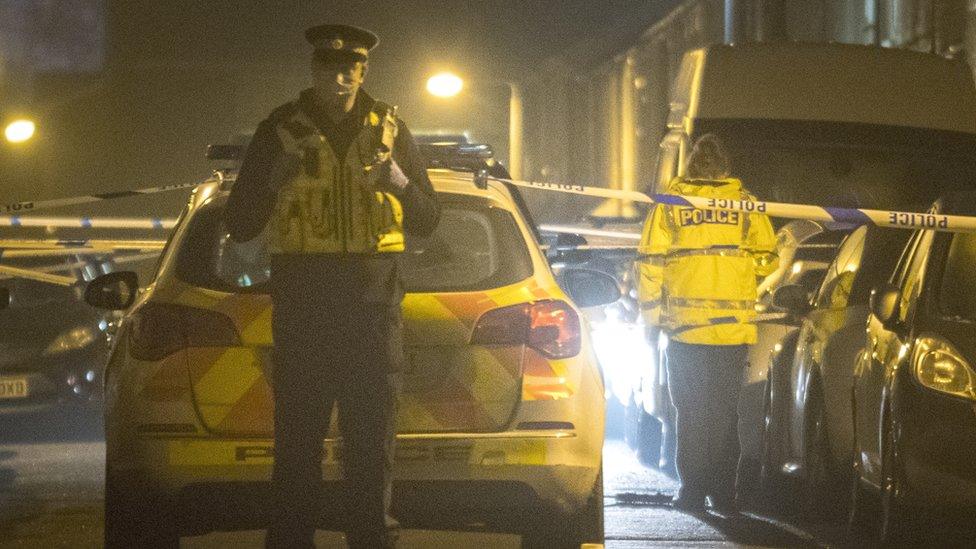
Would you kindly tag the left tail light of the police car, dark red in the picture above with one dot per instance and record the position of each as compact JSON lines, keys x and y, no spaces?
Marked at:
{"x":159,"y":330}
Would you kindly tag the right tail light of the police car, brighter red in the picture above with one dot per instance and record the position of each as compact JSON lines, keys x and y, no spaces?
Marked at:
{"x":550,"y":327}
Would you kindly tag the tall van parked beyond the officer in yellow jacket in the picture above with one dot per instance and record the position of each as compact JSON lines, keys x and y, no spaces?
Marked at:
{"x":824,"y":124}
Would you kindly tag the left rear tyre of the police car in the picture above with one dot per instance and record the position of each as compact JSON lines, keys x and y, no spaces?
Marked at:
{"x":135,"y":518}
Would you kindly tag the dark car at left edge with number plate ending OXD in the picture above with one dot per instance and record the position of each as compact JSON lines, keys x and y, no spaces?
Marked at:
{"x":53,"y":347}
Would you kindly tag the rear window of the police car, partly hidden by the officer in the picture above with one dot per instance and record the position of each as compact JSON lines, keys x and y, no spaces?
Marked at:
{"x":475,"y":247}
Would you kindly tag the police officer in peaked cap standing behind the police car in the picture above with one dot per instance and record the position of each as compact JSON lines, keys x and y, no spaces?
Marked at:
{"x":331,"y":181}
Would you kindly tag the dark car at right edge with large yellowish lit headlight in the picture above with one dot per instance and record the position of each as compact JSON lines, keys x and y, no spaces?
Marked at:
{"x":914,"y":394}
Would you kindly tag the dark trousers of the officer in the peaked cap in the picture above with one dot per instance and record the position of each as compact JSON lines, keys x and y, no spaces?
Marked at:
{"x":332,"y":347}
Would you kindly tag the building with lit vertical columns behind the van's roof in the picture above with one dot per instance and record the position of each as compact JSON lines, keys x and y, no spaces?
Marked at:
{"x":599,"y":123}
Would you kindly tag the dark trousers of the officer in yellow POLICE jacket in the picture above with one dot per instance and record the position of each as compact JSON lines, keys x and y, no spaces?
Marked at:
{"x":704,"y":383}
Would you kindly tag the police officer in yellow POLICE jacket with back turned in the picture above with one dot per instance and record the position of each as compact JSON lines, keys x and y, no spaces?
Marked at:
{"x":697,"y":281}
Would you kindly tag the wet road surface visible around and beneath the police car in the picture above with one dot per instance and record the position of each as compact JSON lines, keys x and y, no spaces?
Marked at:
{"x":51,"y":474}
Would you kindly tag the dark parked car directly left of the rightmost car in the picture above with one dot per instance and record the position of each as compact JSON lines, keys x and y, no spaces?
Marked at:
{"x":807,"y":406}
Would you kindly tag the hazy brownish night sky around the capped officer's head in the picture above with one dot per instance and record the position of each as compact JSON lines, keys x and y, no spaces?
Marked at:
{"x":180,"y":74}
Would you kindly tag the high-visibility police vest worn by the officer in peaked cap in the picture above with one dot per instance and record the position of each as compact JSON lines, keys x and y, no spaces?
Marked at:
{"x":332,"y":206}
